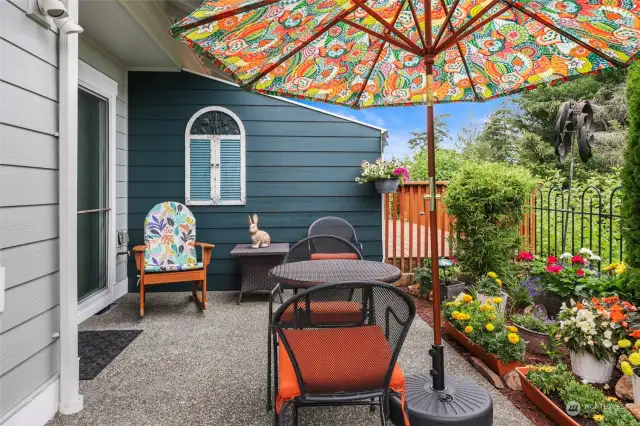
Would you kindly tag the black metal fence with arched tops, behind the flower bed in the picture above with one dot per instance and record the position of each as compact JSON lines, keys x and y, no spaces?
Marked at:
{"x":559,"y":222}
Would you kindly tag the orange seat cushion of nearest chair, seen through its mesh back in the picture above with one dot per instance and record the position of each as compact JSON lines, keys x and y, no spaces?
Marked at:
{"x":335,"y":360}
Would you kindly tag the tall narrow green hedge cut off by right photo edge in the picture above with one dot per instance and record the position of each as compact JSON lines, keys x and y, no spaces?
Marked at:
{"x":631,"y":171}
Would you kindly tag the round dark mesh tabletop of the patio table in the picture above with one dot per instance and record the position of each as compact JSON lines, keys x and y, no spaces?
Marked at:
{"x":313,"y":272}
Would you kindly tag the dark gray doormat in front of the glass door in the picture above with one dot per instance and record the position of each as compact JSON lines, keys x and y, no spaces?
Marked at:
{"x":98,"y":348}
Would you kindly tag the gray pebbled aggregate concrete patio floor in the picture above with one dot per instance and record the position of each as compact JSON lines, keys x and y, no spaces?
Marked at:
{"x":209,"y":368}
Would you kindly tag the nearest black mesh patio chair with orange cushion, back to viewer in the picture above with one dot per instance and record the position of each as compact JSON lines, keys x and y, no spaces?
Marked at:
{"x":326,"y":359}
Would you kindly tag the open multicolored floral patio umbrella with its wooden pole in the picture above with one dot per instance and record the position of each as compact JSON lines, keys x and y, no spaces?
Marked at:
{"x":372,"y":53}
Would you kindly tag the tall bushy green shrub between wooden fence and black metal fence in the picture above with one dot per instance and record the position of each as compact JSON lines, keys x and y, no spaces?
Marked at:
{"x":488,"y":203}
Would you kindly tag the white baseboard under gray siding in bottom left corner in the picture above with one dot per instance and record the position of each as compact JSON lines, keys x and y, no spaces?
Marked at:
{"x":38,"y":408}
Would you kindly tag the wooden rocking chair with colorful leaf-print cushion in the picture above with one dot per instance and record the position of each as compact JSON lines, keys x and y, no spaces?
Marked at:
{"x":169,"y":251}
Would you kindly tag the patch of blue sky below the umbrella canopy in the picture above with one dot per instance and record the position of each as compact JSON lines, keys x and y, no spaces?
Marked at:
{"x":401,"y":121}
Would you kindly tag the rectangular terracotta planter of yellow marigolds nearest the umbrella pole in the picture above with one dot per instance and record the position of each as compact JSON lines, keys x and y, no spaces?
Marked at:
{"x":482,"y":330}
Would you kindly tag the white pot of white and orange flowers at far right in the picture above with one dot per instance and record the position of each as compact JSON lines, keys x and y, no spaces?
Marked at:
{"x":590,"y":329}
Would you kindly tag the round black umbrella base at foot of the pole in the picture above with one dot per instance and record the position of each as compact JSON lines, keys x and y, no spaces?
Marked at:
{"x":462,"y":402}
